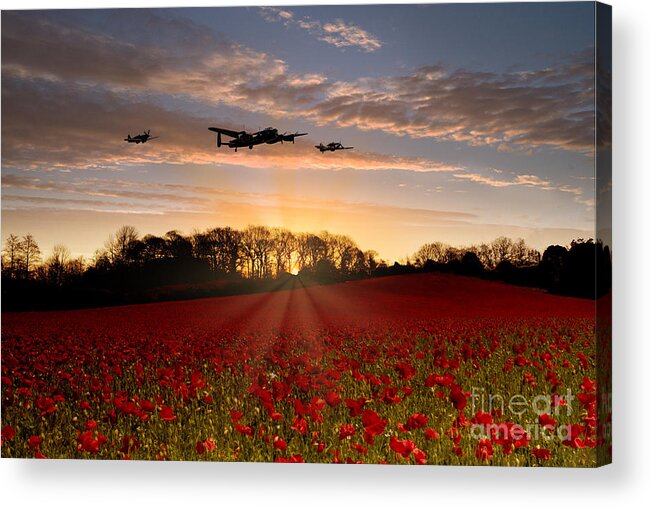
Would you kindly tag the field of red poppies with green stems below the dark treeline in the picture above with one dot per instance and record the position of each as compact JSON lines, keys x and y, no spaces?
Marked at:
{"x":415,"y":369}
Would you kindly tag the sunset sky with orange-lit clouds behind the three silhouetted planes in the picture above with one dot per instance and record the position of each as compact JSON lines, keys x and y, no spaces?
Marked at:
{"x":469,"y":122}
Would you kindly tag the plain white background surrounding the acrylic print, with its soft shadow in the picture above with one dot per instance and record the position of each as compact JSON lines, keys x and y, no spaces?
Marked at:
{"x":626,"y":481}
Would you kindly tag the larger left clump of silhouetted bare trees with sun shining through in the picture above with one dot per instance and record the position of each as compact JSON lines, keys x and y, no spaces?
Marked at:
{"x":130,"y":268}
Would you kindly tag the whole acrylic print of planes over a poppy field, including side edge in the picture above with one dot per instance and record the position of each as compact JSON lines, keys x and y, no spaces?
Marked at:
{"x":331,"y":234}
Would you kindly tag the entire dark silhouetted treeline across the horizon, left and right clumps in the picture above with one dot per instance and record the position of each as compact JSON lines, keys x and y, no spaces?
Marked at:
{"x":131,"y":268}
